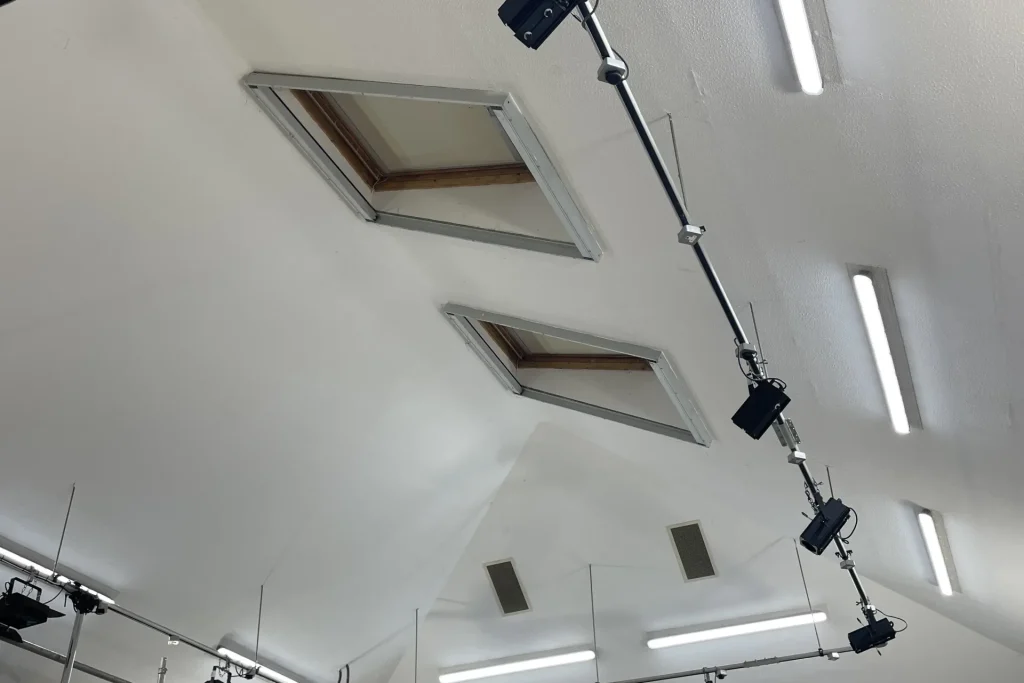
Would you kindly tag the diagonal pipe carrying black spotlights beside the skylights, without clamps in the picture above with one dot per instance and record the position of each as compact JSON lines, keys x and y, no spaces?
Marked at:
{"x":605,"y":50}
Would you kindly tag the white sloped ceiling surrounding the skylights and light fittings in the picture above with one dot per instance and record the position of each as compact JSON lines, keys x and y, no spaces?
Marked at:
{"x":250,"y":386}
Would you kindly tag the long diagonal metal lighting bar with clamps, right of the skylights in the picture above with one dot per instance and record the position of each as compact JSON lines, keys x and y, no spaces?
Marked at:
{"x":691,"y":235}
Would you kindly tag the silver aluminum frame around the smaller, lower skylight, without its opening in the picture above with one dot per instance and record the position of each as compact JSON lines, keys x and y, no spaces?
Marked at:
{"x":696,"y":432}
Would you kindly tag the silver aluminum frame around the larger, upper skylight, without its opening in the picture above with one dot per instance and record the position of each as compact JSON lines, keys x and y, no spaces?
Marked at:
{"x":582,"y":242}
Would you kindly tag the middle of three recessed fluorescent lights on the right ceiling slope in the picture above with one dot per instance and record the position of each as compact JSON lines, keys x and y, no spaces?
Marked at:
{"x":879,"y":313}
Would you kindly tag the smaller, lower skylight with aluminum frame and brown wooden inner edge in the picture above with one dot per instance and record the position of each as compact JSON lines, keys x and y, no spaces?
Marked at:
{"x":619,"y":381}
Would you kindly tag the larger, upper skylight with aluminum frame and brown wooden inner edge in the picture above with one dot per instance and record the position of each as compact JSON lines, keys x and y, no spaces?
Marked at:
{"x":449,"y":161}
